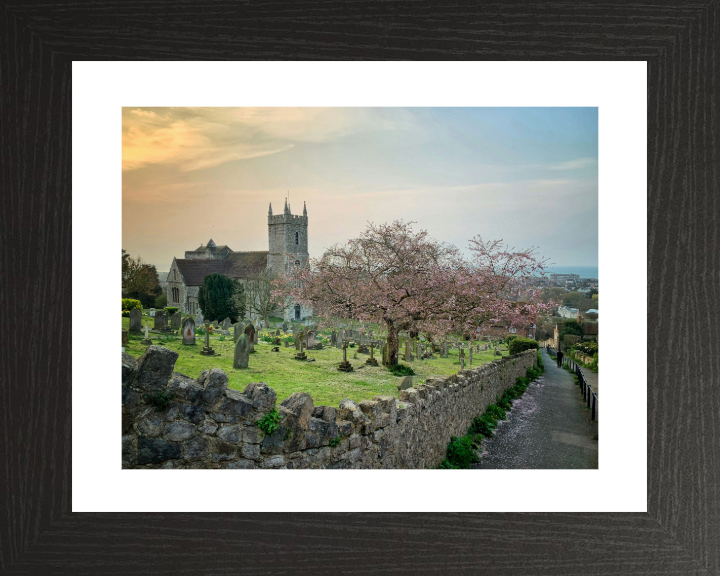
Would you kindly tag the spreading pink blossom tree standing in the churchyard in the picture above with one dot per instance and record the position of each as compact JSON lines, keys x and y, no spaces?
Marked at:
{"x":404,"y":280}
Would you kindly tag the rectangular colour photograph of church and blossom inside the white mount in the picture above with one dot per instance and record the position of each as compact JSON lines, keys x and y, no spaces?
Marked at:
{"x":360,"y":288}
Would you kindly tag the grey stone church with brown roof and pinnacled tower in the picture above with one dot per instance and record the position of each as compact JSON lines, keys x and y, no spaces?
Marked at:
{"x":287,"y":234}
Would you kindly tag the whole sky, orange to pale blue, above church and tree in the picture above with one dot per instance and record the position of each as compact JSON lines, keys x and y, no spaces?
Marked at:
{"x":527,"y":176}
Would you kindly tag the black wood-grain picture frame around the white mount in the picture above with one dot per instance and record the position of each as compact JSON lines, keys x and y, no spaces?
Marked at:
{"x":680,"y":534}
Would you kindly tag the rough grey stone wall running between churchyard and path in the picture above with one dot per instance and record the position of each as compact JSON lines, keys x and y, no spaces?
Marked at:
{"x":207,"y":425}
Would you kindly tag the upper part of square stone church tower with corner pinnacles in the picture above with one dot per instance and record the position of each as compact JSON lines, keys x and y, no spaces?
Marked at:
{"x":287,"y":234}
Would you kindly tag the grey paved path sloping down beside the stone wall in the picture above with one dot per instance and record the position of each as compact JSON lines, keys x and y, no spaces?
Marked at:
{"x":549,"y":427}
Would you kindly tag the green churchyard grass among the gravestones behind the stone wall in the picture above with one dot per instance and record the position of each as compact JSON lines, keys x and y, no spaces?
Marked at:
{"x":321,"y":379}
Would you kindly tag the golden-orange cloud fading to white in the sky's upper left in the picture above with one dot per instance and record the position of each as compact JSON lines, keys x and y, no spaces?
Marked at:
{"x":198,"y":138}
